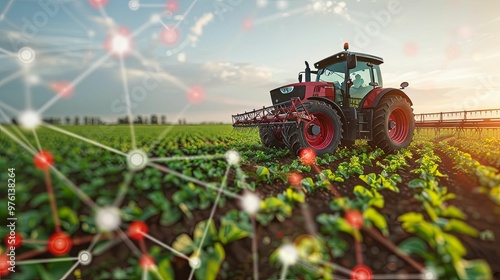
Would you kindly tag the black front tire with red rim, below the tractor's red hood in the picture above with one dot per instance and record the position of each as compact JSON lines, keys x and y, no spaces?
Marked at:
{"x":323,"y":134}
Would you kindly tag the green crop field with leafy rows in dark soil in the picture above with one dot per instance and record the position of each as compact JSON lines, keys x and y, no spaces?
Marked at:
{"x":210,"y":202}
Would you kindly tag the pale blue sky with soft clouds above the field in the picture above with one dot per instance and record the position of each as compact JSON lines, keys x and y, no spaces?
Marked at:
{"x":208,"y":59}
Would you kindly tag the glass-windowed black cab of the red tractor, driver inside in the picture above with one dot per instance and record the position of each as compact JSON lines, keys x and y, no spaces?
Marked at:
{"x":353,"y":75}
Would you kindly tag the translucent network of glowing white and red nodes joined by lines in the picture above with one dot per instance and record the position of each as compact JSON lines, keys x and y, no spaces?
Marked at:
{"x":118,"y":45}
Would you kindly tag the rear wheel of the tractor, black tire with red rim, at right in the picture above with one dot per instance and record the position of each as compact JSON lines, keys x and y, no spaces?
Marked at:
{"x":393,"y":124}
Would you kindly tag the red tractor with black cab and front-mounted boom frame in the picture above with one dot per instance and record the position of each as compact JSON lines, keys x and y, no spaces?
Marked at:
{"x":346,"y":102}
